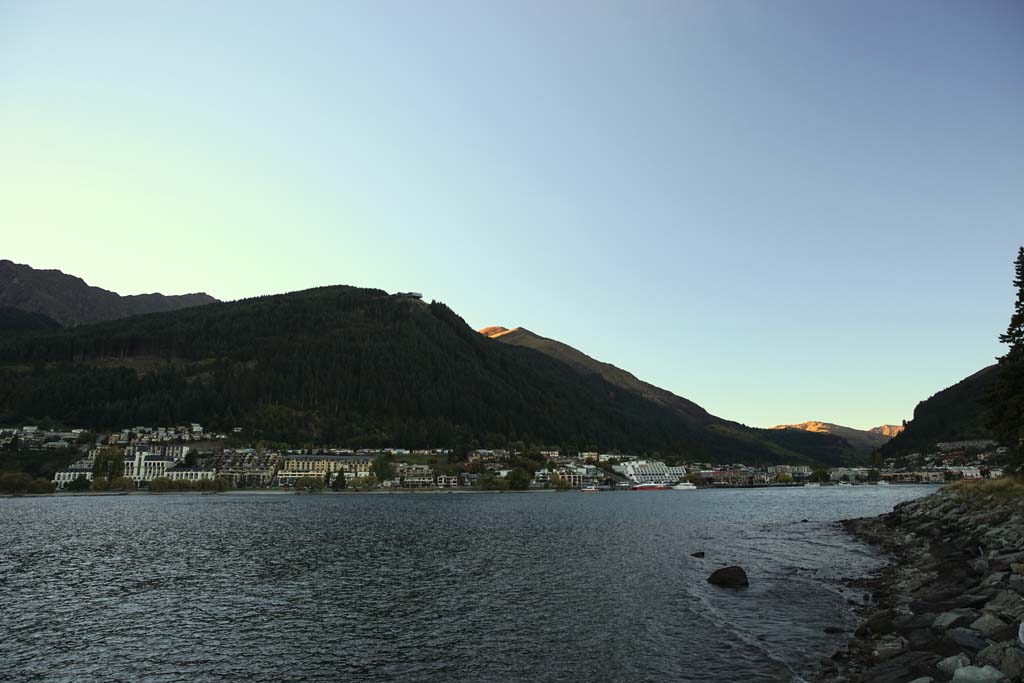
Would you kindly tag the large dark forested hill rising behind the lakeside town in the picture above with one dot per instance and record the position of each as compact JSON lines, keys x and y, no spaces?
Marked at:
{"x":354,"y":367}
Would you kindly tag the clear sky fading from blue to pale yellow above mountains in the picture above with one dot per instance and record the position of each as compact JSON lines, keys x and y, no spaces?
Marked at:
{"x":785,"y":211}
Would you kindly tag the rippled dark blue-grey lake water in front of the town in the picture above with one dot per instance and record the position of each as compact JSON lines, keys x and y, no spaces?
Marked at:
{"x":531,"y":587}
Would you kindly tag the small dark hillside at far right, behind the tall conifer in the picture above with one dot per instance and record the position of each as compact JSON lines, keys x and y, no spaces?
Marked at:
{"x":951,"y":415}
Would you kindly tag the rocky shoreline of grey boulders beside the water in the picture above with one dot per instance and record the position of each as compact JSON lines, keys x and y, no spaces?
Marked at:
{"x":950,"y":608}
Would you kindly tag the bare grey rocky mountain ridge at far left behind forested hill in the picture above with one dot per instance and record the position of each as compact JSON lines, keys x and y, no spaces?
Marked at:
{"x":70,"y":302}
